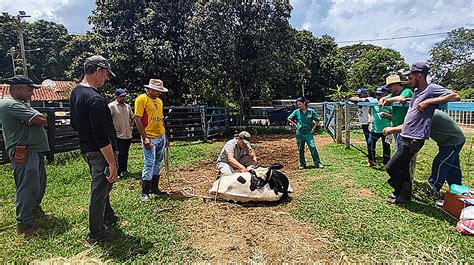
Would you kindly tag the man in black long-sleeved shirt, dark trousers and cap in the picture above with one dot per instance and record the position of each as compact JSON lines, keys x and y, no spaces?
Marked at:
{"x":91,"y":118}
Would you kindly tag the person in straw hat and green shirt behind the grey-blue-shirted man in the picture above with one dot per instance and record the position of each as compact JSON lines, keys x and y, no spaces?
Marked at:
{"x":398,"y":94}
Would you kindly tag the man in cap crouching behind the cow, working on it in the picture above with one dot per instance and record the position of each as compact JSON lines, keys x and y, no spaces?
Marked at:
{"x":236,"y":155}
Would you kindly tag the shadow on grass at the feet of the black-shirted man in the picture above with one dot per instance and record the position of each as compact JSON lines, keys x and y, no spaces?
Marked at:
{"x":126,"y":247}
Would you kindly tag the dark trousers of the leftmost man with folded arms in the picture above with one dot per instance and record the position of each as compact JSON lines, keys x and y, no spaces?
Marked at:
{"x":30,"y":182}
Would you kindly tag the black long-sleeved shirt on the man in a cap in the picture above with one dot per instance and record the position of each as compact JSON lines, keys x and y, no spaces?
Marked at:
{"x":91,"y":118}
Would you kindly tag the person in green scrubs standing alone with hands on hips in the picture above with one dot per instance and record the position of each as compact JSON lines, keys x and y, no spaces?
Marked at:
{"x":305,"y":120}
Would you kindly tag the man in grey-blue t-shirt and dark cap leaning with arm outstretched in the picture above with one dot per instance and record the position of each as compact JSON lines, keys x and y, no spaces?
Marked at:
{"x":416,"y":129}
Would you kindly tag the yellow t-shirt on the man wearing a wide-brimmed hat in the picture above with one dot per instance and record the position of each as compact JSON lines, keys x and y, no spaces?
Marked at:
{"x":151,"y":113}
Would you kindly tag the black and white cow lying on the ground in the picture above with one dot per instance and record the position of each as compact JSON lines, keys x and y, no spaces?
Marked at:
{"x":259,"y":184}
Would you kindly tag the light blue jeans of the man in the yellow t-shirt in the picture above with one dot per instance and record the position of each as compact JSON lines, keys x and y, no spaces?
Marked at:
{"x":153,"y":157}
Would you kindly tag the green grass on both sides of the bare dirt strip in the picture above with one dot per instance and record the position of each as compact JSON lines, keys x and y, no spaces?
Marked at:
{"x":346,"y":198}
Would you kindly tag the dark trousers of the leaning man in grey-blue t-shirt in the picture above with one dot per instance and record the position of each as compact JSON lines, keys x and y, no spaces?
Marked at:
{"x":398,"y":168}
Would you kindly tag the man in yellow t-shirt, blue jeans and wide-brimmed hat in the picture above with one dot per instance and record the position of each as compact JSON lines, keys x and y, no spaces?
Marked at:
{"x":149,"y":119}
